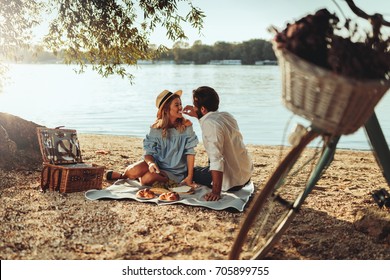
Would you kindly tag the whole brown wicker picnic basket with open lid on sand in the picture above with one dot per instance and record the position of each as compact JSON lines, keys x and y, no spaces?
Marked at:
{"x":63,"y":168}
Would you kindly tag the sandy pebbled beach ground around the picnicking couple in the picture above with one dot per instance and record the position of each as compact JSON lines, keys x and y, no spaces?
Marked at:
{"x":339,"y":220}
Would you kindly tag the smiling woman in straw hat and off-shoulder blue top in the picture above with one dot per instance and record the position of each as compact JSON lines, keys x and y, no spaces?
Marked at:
{"x":169,"y":146}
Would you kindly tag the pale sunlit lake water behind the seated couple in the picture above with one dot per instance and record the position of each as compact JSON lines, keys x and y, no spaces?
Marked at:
{"x":54,"y":95}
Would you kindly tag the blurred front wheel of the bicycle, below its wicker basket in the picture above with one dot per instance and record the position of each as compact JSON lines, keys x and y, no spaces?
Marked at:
{"x":277,"y":194}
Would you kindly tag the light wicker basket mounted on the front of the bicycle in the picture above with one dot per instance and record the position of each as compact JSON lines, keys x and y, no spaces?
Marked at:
{"x":333,"y":103}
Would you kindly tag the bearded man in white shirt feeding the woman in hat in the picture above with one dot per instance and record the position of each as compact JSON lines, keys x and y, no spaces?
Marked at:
{"x":230,"y":166}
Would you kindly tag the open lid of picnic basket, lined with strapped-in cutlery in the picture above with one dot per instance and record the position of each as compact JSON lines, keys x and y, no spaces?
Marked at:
{"x":59,"y":146}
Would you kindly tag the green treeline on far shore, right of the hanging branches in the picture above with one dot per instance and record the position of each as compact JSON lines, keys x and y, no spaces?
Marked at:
{"x":248,"y":52}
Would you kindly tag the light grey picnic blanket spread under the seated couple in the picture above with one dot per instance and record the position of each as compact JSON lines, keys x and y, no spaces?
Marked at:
{"x":127,"y":189}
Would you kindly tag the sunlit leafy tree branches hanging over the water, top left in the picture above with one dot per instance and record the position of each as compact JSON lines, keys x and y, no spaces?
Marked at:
{"x":105,"y":33}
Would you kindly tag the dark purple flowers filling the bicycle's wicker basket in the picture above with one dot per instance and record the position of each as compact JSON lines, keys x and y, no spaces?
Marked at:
{"x":314,"y":39}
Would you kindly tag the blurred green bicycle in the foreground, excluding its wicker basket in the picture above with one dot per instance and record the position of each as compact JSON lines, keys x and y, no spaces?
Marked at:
{"x":275,"y":206}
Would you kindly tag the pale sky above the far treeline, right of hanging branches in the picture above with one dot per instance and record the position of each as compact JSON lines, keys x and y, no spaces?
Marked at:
{"x":242,"y":20}
